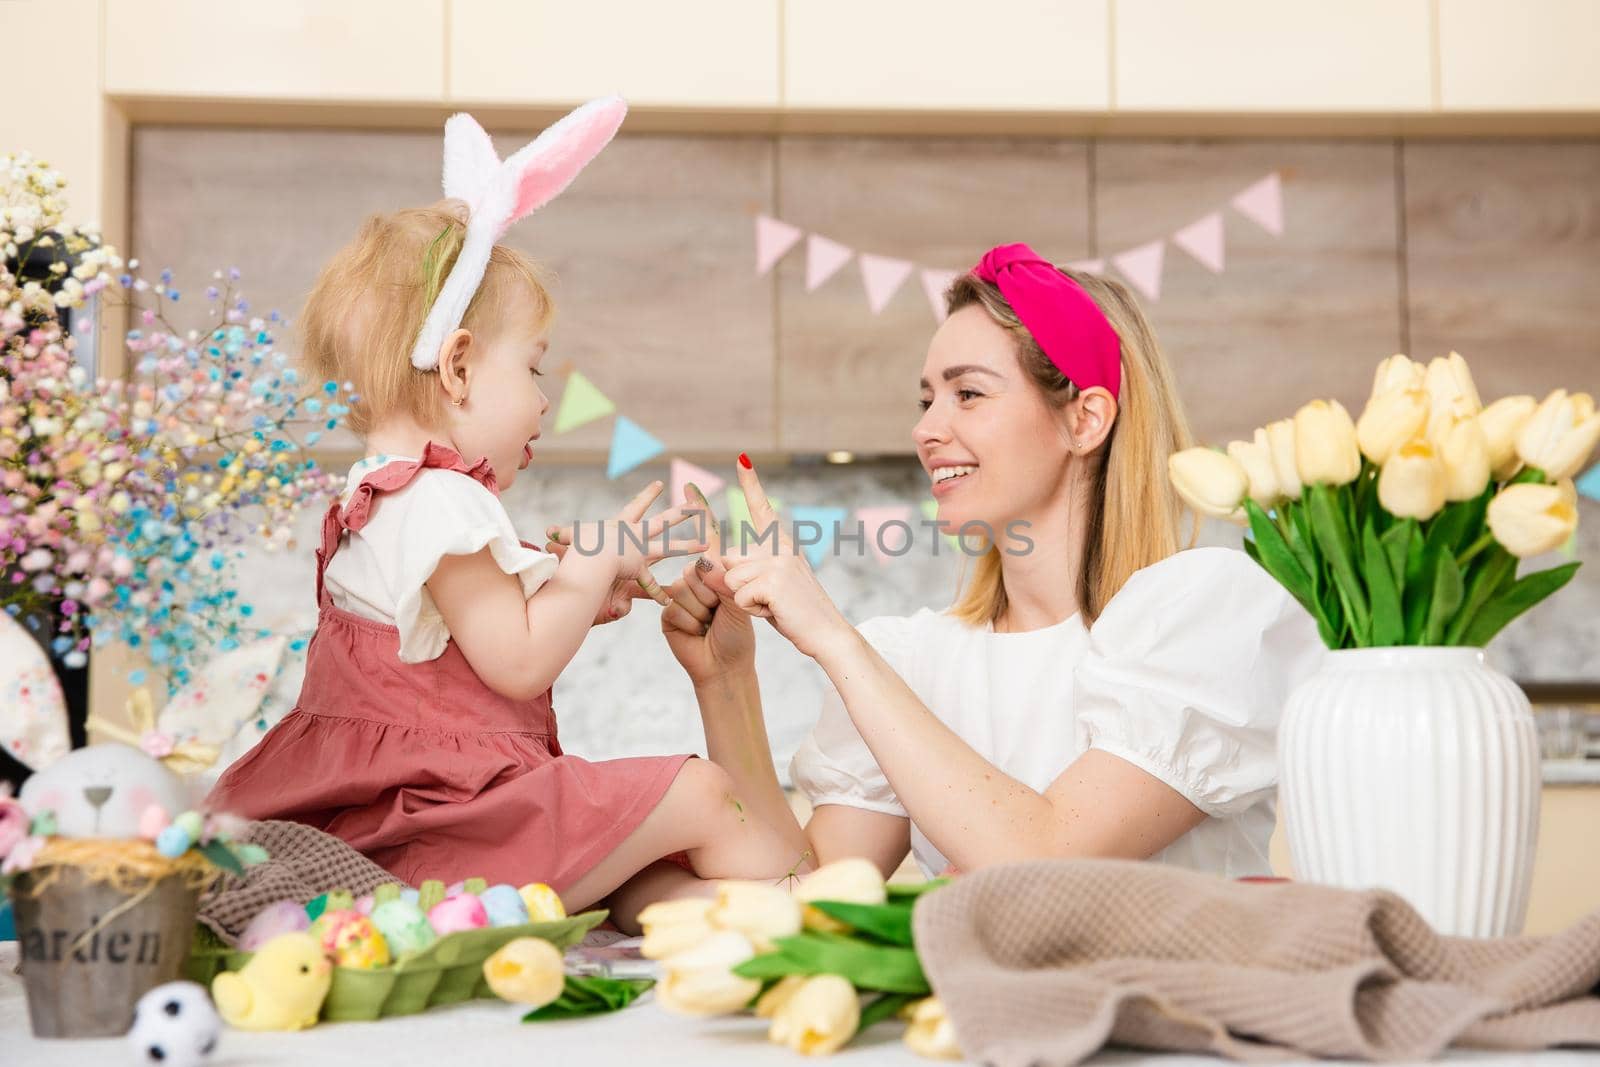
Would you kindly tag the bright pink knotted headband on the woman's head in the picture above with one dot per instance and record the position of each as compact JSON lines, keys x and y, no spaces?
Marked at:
{"x":1065,"y":321}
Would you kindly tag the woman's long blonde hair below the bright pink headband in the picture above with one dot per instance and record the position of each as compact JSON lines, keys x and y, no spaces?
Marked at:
{"x":1134,"y":516}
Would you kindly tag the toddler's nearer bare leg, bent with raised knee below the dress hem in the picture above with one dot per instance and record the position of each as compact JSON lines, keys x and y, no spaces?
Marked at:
{"x":700,"y":815}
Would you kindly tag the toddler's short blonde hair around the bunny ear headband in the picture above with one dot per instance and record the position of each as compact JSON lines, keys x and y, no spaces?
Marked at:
{"x":369,"y":305}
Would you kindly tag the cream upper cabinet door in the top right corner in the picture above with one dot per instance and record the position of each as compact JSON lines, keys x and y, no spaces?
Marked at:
{"x":1538,"y":55}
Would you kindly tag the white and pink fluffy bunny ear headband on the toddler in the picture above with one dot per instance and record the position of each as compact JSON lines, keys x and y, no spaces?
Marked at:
{"x":502,"y":193}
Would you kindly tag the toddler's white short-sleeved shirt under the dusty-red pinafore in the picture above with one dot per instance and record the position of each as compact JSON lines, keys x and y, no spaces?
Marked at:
{"x":380,"y":572}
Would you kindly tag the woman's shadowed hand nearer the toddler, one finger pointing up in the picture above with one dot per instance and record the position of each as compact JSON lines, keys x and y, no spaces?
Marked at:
{"x":708,"y":633}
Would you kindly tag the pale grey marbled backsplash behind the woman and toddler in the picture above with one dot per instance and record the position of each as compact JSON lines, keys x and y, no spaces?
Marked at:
{"x":625,"y":693}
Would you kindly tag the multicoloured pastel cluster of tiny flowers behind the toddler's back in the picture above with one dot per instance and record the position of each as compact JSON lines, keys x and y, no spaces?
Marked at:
{"x":124,"y":505}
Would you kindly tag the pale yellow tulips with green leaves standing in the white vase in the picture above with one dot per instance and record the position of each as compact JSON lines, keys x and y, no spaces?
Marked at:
{"x":1406,"y":527}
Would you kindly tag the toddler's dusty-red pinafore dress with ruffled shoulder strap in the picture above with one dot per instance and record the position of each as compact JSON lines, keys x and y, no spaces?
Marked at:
{"x":423,"y":767}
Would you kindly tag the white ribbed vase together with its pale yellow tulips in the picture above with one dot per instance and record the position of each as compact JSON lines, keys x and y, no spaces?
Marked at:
{"x":1407,"y":762}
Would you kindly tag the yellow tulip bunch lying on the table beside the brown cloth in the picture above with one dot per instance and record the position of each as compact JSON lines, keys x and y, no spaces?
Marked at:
{"x":822,"y":962}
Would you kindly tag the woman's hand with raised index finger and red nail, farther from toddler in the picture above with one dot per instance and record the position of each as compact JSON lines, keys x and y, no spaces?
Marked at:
{"x":778,"y":585}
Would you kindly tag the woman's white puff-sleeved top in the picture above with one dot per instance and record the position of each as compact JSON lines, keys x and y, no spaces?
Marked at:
{"x":1185,"y":676}
